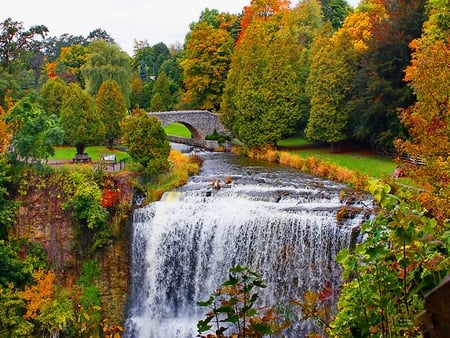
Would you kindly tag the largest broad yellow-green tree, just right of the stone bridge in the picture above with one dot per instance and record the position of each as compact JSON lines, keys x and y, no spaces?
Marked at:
{"x":264,"y":98}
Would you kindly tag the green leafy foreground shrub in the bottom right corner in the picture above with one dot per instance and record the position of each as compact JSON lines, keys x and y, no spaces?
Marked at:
{"x":403,"y":256}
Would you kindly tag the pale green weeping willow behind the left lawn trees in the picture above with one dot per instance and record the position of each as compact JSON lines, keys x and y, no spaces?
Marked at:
{"x":107,"y":62}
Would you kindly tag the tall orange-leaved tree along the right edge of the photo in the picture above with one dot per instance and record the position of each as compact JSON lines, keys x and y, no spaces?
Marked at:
{"x":428,"y":119}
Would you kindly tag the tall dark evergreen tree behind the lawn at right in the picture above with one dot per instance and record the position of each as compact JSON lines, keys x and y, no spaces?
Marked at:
{"x":378,"y":90}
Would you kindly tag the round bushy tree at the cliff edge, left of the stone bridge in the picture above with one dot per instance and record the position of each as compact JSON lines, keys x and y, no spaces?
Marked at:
{"x":147,"y":142}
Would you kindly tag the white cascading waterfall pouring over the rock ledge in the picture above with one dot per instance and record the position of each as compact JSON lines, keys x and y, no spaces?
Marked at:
{"x":184,"y":245}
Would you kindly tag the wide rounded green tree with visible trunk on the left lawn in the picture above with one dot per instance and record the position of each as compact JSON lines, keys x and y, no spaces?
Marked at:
{"x":79,"y":119}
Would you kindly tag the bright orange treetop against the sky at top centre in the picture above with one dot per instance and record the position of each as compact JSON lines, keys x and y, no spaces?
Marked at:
{"x":261,"y":10}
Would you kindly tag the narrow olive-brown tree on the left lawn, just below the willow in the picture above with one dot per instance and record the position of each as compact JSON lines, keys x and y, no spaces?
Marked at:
{"x":111,"y":107}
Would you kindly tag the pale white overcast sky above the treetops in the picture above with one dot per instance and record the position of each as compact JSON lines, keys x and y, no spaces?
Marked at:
{"x":125,"y":21}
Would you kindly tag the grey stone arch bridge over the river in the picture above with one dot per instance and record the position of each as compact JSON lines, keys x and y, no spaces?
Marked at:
{"x":199,"y":122}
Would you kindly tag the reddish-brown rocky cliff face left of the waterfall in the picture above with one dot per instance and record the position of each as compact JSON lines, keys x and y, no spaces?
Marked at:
{"x":45,"y":218}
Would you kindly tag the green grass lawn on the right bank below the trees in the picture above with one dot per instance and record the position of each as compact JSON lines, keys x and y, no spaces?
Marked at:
{"x":365,"y":162}
